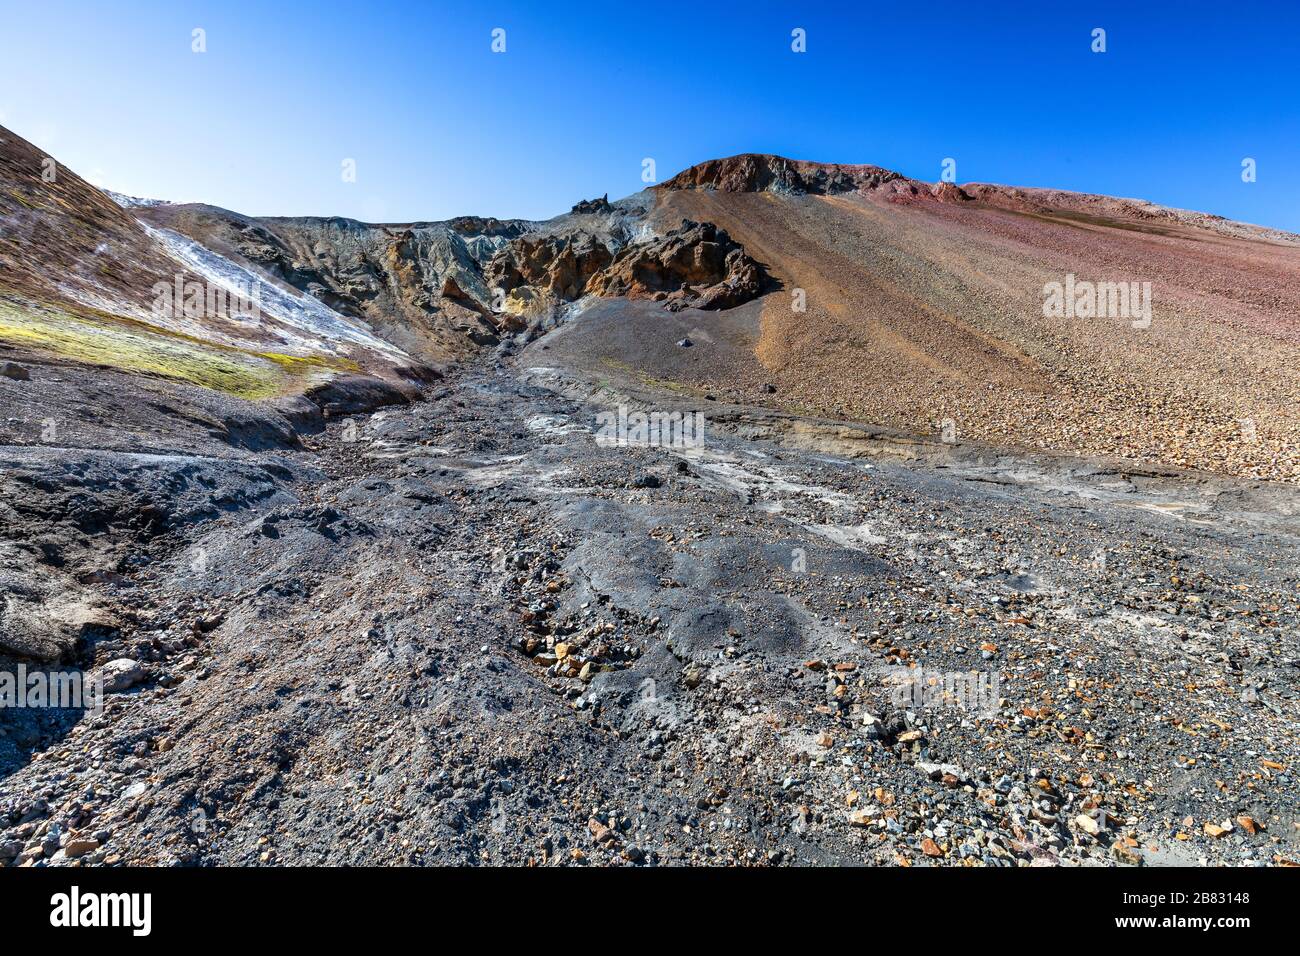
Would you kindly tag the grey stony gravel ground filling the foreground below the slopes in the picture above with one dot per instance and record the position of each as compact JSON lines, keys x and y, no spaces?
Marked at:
{"x":465,"y":633}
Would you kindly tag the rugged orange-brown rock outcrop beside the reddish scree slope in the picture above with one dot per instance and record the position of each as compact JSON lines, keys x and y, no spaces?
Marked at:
{"x":696,"y":266}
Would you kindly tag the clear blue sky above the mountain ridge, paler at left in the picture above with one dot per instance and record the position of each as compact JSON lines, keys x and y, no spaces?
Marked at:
{"x":440,"y":126}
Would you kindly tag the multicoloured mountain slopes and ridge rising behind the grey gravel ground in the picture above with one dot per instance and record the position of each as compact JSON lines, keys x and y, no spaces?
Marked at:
{"x":843,"y":291}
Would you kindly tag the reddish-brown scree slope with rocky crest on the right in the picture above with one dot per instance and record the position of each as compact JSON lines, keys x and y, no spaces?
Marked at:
{"x":928,"y":304}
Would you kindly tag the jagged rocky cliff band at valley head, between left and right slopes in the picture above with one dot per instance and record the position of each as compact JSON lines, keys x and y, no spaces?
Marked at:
{"x":441,"y":289}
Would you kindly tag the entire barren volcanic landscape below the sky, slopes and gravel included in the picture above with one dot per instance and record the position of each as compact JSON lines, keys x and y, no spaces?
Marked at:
{"x":332,"y":514}
